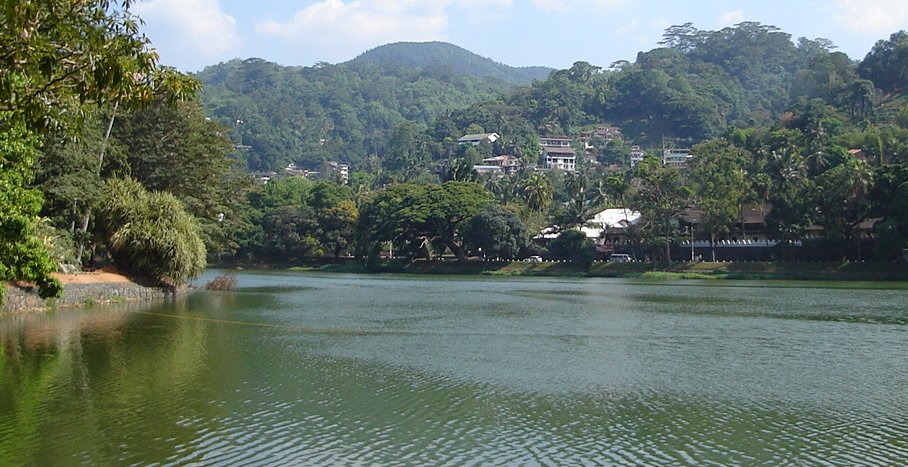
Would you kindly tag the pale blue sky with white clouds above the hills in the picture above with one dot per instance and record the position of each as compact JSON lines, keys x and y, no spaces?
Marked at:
{"x":191,"y":34}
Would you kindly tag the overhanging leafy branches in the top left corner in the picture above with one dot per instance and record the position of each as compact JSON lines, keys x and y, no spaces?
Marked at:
{"x":55,"y":53}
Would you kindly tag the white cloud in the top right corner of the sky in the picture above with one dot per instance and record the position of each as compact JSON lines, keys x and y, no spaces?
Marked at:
{"x":873,"y":17}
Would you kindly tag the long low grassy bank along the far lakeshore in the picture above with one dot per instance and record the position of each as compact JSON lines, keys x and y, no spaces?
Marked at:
{"x":845,"y":271}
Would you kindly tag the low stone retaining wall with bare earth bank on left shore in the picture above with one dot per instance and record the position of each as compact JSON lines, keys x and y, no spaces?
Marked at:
{"x":80,"y":290}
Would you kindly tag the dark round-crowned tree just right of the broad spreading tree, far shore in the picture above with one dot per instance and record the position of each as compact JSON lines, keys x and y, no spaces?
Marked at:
{"x":496,"y":232}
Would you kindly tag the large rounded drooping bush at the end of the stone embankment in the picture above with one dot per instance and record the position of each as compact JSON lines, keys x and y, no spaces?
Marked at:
{"x":150,"y":234}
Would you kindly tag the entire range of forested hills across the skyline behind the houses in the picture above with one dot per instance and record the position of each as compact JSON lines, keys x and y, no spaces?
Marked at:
{"x":694,"y":87}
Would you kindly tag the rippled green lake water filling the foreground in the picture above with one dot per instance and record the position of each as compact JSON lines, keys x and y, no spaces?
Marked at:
{"x":312,"y":369}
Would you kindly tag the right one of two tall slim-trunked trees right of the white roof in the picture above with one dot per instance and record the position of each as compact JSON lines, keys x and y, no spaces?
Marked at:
{"x":720,"y":186}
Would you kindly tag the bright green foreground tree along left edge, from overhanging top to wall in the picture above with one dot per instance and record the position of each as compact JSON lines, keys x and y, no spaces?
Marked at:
{"x":55,"y":54}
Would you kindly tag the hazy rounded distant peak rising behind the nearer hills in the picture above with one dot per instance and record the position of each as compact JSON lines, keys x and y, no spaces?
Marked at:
{"x":443,"y":56}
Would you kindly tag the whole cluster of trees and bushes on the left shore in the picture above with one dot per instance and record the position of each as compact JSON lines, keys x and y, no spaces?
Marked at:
{"x":84,"y":104}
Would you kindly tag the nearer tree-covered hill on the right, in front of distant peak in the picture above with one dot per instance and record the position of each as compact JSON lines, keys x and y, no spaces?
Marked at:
{"x":700,"y":83}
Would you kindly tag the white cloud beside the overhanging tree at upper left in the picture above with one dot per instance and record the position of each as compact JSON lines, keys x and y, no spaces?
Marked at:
{"x":183,"y":30}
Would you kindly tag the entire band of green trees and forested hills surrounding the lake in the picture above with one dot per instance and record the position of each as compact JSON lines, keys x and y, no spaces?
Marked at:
{"x":118,"y":158}
